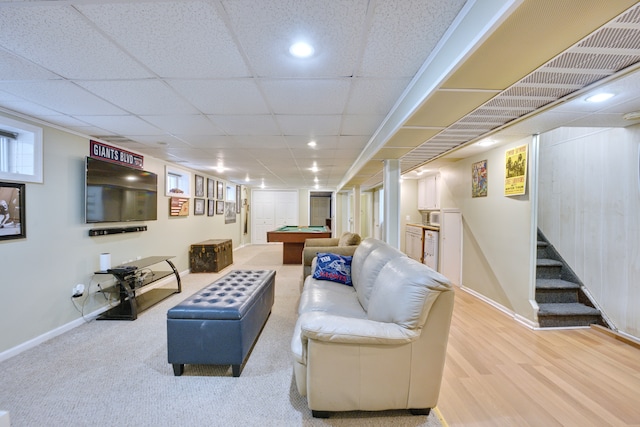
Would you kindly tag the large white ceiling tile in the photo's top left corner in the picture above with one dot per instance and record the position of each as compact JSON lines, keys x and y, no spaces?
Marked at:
{"x":59,"y":39}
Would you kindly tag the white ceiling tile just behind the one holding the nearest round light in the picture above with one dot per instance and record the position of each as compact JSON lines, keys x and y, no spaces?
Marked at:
{"x":321,"y":96}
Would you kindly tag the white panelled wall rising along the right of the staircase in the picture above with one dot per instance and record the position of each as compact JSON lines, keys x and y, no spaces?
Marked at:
{"x":589,"y":208}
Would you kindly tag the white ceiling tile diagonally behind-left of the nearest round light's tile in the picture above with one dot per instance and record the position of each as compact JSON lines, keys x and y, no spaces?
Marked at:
{"x":229,"y":96}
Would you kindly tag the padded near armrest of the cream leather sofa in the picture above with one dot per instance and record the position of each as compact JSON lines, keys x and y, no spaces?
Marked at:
{"x":327,"y":327}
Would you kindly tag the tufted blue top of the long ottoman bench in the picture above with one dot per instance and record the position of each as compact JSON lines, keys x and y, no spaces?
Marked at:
{"x":229,"y":297}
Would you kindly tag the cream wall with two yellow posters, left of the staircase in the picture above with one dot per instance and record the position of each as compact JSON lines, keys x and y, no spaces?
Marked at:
{"x":497,"y":247}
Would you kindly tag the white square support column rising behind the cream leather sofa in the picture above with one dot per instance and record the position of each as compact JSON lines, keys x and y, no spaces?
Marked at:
{"x":391,"y":185}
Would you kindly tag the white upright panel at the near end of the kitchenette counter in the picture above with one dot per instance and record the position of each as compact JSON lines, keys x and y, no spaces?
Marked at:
{"x":450,"y":253}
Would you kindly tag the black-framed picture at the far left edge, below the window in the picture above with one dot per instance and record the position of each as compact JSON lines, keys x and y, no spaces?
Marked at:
{"x":12,"y":211}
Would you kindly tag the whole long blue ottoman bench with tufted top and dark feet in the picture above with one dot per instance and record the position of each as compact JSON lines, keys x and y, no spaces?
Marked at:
{"x":219,"y":324}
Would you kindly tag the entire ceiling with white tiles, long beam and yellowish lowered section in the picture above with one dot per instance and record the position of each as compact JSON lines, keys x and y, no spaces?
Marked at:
{"x":209,"y":83}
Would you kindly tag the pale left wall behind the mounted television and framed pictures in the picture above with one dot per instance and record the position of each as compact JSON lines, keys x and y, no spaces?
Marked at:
{"x":39,"y":272}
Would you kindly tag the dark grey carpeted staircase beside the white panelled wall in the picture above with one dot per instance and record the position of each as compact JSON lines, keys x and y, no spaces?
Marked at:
{"x":559,"y":295}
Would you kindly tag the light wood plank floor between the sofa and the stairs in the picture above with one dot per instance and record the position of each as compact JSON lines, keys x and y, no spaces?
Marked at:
{"x":500,"y":373}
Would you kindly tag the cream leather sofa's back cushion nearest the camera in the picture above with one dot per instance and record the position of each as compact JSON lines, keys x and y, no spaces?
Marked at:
{"x":404,"y":292}
